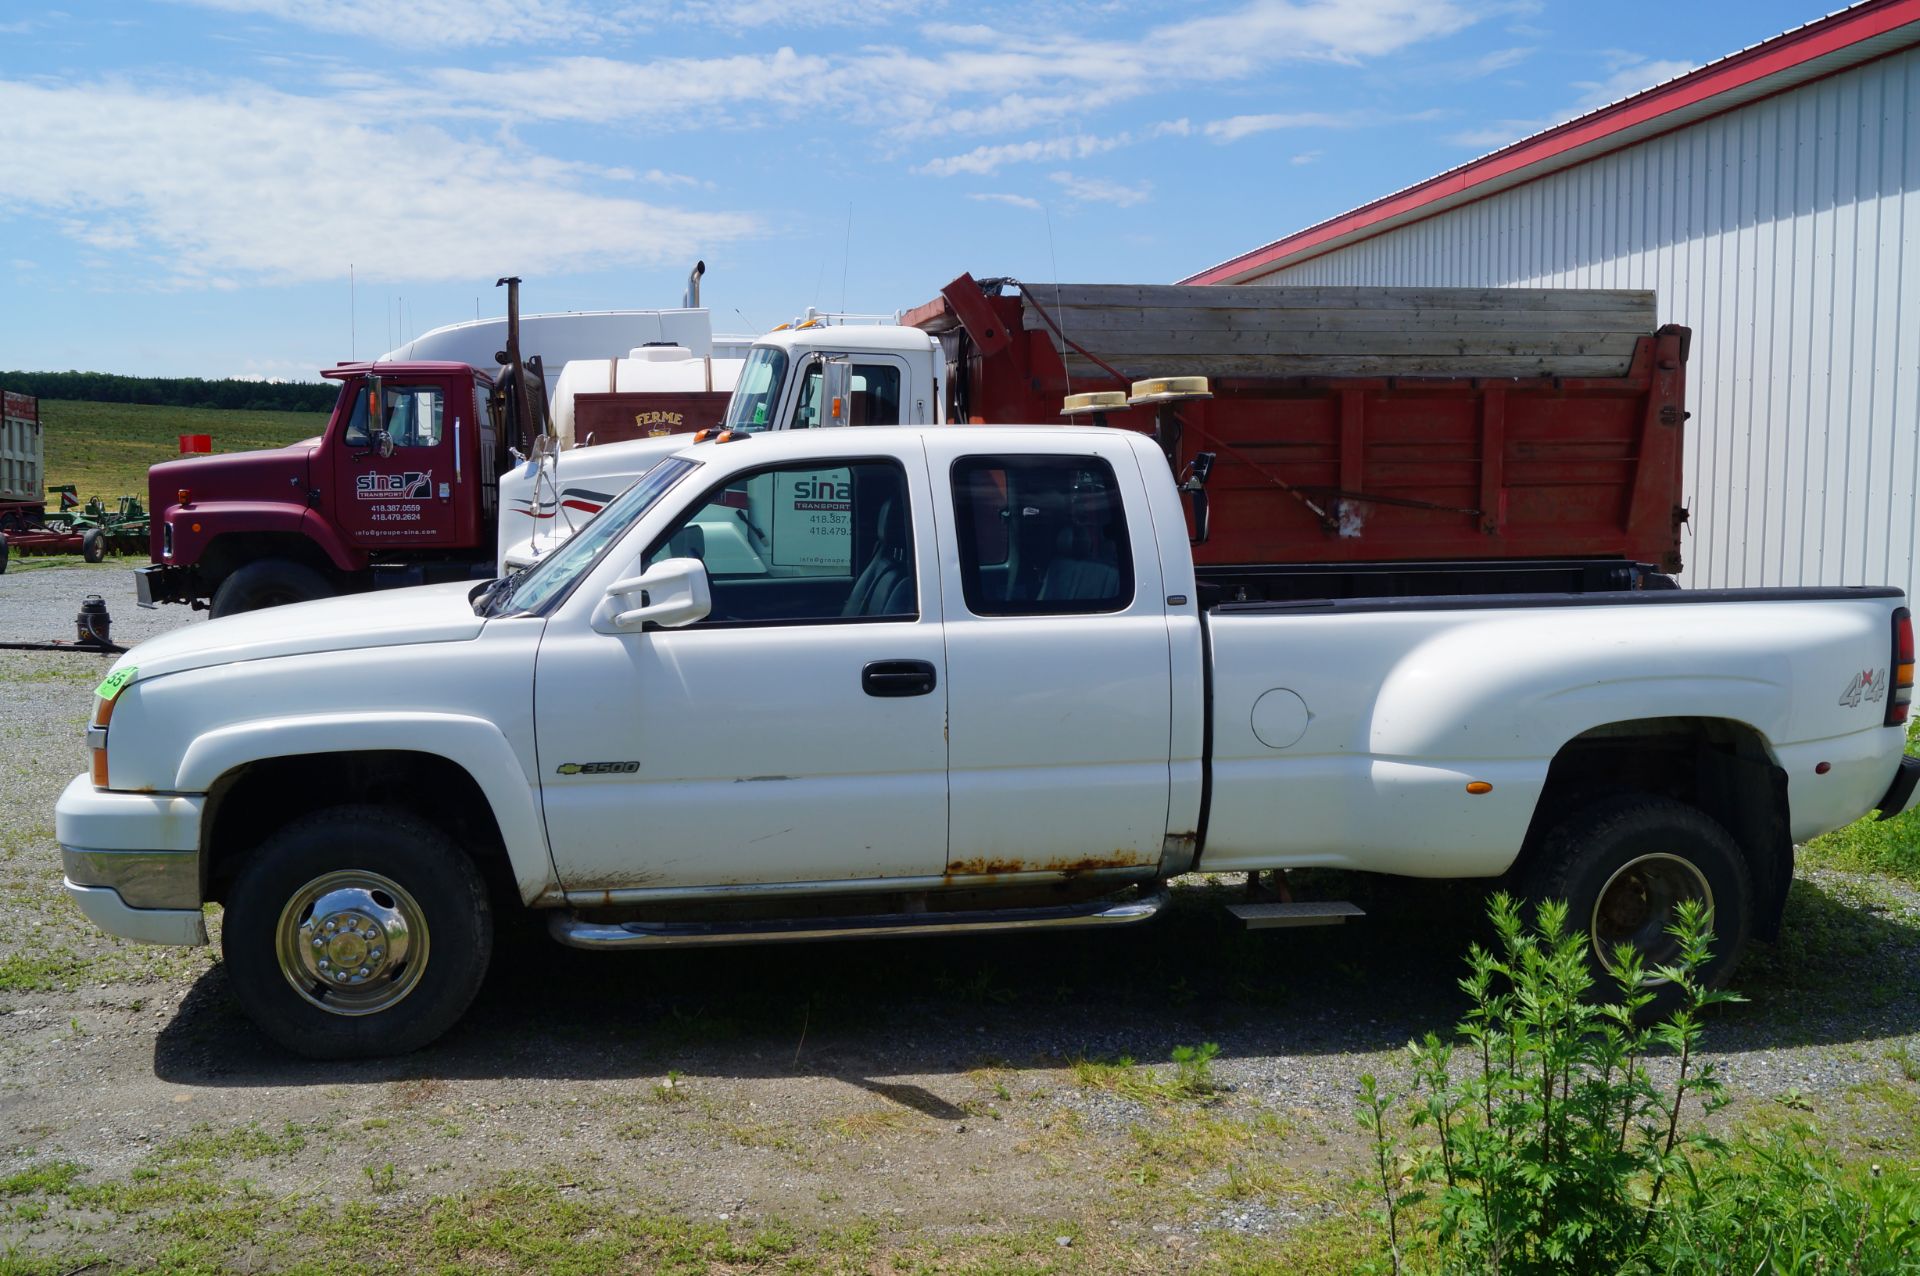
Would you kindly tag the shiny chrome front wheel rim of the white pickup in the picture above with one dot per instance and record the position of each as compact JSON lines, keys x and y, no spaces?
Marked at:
{"x":352,"y":943}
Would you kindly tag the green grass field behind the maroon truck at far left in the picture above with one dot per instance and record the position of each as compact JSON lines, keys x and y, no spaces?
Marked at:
{"x":107,"y":448}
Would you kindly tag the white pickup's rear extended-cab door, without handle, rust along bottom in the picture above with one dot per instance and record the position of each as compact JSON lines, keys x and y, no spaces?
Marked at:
{"x":1057,"y":657}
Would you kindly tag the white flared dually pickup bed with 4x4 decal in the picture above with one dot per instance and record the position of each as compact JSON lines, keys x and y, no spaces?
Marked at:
{"x":1385,"y":709}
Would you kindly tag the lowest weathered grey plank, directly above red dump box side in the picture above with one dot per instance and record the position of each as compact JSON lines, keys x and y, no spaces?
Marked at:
{"x":1426,"y":344}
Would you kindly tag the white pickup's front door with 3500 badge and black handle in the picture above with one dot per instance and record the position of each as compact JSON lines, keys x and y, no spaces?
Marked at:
{"x":798,"y":734}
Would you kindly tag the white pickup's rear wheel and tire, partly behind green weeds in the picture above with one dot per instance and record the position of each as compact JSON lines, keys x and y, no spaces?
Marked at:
{"x":1625,"y":864}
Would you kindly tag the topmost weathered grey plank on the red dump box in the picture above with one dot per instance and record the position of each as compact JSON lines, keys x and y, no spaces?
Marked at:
{"x":1264,"y":298}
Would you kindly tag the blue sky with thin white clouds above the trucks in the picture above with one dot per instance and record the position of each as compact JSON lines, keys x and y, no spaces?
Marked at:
{"x":185,"y":183}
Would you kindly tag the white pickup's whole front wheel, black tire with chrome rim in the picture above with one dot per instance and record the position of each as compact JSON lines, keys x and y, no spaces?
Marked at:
{"x":358,"y":933}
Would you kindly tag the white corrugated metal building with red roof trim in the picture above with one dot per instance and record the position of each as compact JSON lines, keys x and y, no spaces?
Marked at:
{"x":1773,"y":202}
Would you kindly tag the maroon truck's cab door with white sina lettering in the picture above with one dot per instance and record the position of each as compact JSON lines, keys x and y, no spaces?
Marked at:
{"x":414,"y":498}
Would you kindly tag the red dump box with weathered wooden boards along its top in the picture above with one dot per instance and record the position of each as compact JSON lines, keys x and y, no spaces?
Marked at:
{"x":1362,"y":425}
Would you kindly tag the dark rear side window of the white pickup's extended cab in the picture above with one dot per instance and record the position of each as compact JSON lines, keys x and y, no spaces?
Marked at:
{"x":1042,"y":536}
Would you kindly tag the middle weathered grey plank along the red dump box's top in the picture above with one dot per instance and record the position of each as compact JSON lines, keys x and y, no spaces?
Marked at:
{"x":1243,"y":319}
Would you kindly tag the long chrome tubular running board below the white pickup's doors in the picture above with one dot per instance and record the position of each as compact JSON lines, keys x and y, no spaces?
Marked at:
{"x":579,"y":932}
